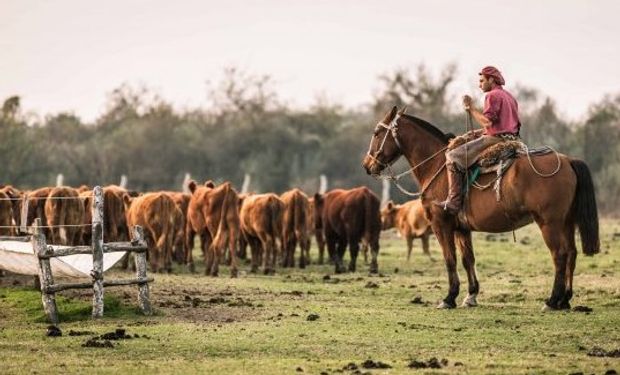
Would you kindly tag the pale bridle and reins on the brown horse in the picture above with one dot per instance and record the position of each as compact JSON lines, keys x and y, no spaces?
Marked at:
{"x":392,"y":128}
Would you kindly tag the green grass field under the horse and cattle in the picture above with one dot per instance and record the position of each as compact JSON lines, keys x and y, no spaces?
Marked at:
{"x":312,"y":321}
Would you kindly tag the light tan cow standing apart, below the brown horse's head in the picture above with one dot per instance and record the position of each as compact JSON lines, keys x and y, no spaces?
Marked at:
{"x":410,"y":221}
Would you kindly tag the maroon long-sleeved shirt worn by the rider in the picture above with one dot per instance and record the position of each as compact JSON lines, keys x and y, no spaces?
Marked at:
{"x":501,"y":109}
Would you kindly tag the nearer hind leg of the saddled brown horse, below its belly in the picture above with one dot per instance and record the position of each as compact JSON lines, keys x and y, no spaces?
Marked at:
{"x":554,"y":238}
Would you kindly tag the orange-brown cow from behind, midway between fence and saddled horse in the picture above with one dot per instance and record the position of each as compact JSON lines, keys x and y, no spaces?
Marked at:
{"x":261,"y":225}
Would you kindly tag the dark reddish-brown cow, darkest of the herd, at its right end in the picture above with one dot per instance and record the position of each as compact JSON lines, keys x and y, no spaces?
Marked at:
{"x":347,"y":217}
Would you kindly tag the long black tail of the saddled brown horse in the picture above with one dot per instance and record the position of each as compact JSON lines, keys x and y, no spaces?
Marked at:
{"x":584,"y":208}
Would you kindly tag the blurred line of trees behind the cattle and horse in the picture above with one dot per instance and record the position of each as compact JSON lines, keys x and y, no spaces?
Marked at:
{"x":247,"y":128}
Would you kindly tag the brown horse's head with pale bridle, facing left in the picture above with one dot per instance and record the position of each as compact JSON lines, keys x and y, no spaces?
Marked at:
{"x":384,"y":146}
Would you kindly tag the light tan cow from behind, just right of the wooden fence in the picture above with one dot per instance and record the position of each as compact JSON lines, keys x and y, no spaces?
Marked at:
{"x":156,"y":213}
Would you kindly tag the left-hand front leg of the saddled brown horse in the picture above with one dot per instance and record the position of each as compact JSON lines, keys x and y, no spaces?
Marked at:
{"x":445,"y":235}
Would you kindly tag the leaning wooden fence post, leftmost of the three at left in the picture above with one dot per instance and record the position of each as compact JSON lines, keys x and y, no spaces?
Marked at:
{"x":45,"y":272}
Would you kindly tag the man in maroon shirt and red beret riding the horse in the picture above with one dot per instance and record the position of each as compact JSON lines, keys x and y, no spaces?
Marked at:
{"x":499,"y":120}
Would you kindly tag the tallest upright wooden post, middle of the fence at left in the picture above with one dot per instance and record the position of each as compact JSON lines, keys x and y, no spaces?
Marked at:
{"x":97,"y":243}
